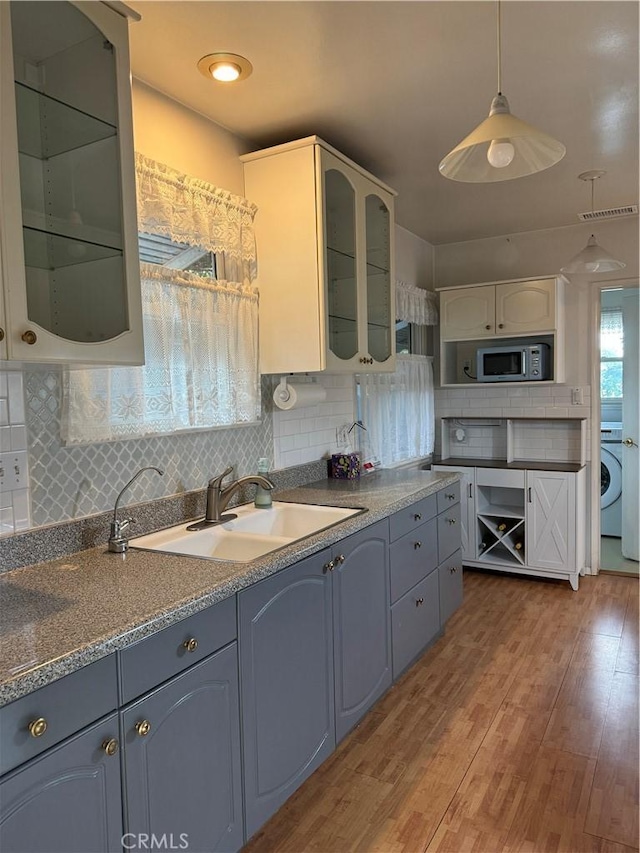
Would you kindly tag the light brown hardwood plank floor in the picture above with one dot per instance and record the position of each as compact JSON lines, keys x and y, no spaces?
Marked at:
{"x":516,"y":731}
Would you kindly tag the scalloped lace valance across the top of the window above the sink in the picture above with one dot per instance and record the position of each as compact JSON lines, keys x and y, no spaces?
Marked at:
{"x":191,"y":211}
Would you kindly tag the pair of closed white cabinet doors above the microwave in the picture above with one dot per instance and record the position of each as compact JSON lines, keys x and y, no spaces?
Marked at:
{"x":493,"y":310}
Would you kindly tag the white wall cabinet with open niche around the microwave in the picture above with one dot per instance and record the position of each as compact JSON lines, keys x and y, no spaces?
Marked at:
{"x":509,"y":313}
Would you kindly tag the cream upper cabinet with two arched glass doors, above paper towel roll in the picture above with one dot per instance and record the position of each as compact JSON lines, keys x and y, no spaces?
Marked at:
{"x":324,"y":232}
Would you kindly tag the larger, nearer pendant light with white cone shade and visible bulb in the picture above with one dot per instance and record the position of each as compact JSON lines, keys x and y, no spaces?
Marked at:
{"x":502,"y":147}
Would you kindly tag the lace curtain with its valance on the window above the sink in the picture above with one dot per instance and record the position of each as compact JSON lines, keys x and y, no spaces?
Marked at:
{"x":200,"y":331}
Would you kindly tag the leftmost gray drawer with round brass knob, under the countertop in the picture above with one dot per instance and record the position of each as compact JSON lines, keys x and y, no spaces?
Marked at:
{"x":66,"y":706}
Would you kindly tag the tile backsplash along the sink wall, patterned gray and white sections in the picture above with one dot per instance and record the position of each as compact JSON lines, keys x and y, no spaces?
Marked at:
{"x":65,"y":483}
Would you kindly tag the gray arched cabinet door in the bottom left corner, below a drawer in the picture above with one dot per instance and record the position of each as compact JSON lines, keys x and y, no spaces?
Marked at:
{"x":66,"y":801}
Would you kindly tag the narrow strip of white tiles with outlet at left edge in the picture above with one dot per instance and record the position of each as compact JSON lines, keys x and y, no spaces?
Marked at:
{"x":15,"y":508}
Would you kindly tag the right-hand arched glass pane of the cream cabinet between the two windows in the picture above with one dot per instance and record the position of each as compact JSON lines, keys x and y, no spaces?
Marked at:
{"x":380,"y":310}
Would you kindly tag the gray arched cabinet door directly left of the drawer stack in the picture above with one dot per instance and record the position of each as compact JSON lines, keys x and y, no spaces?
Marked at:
{"x":361,"y":615}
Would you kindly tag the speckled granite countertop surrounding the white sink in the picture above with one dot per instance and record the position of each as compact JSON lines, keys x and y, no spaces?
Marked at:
{"x":61,"y":615}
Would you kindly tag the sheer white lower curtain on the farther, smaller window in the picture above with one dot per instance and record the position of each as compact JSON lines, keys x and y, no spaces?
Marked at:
{"x":398,"y":410}
